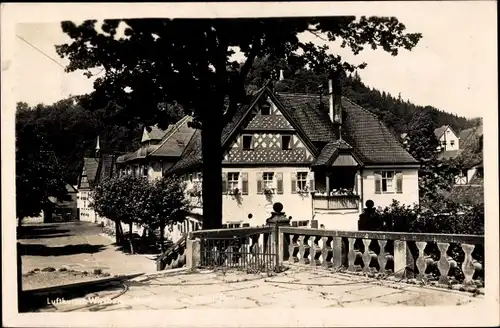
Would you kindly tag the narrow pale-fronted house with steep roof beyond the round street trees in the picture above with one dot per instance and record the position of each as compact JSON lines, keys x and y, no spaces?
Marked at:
{"x":93,"y":170}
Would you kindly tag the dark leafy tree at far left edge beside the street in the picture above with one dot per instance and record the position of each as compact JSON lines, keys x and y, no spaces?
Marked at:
{"x":38,"y":173}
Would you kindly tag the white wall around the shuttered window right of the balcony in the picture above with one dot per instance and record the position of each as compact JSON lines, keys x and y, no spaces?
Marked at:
{"x":409,"y":195}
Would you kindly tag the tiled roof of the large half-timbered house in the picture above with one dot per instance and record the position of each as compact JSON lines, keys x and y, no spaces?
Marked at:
{"x":362,"y":133}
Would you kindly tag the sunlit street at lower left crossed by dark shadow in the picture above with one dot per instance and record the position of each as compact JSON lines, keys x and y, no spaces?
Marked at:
{"x":79,"y":246}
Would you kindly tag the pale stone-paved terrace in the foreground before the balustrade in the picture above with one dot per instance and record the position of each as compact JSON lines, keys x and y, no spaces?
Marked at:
{"x":296,"y":288}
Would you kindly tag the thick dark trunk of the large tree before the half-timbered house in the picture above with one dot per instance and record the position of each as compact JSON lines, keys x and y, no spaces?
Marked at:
{"x":212,"y":168}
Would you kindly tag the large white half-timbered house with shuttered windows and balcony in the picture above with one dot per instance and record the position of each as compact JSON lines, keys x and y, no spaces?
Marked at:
{"x":321,"y":157}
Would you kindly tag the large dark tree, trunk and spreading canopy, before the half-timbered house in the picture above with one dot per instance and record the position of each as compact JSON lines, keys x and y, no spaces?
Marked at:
{"x":156,"y":62}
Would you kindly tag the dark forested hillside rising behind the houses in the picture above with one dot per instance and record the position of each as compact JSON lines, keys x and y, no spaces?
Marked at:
{"x":70,"y":127}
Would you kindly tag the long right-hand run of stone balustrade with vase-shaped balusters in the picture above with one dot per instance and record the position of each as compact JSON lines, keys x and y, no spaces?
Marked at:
{"x":400,"y":254}
